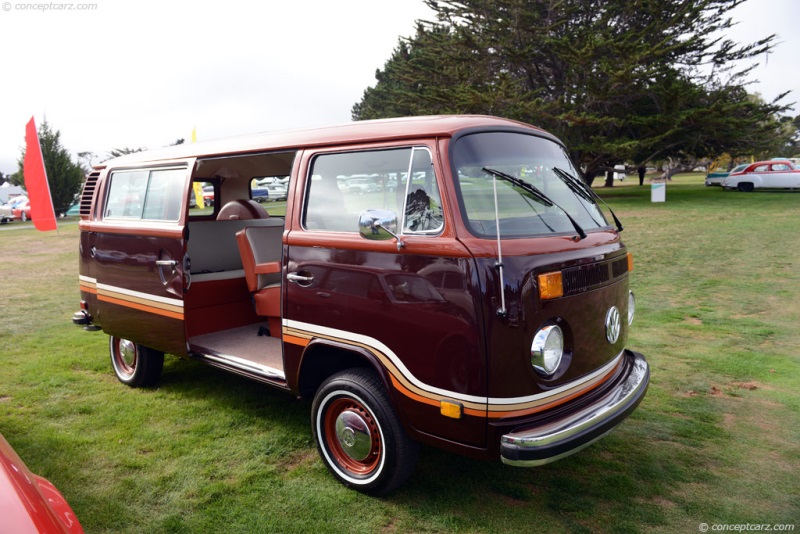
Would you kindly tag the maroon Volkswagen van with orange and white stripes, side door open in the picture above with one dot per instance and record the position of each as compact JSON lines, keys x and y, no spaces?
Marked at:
{"x":466,"y":290}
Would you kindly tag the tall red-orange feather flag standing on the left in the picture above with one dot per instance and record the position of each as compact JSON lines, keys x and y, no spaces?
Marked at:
{"x":42,"y":213}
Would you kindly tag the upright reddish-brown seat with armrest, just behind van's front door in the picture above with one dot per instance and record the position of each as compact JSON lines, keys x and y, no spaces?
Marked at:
{"x":261,"y":249}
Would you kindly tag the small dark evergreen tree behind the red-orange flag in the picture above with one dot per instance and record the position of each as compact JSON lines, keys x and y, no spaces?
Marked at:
{"x":64,"y":176}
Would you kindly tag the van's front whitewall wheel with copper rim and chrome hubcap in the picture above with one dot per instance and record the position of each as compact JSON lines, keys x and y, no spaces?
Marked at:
{"x":358,"y":434}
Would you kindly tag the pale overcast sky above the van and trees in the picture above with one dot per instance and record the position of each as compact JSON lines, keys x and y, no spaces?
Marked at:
{"x":144,"y":73}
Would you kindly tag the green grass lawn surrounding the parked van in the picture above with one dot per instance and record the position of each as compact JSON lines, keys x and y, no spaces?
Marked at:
{"x":716,"y":440}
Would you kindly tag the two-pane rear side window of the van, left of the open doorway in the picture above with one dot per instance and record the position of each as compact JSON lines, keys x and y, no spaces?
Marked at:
{"x":155,"y":195}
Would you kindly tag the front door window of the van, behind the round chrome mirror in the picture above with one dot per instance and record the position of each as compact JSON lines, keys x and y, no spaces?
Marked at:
{"x":344,"y":185}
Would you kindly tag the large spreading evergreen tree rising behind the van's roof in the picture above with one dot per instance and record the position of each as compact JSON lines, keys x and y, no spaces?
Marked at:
{"x":617,"y":80}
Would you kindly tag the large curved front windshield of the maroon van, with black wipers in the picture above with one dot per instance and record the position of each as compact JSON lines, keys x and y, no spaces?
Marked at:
{"x":479,"y":159}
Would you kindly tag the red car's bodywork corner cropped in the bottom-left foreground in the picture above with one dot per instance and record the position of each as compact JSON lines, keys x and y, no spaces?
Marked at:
{"x":29,"y":502}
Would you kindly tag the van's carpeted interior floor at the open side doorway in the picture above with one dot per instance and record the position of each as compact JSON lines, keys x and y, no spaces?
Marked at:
{"x":242,"y":343}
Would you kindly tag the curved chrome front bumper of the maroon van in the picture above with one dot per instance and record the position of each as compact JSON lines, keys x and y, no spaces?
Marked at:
{"x":528,"y":447}
